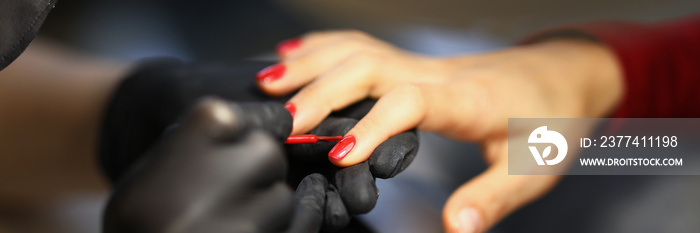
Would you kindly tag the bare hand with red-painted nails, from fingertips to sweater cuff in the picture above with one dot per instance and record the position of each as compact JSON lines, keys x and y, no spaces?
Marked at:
{"x":466,"y":98}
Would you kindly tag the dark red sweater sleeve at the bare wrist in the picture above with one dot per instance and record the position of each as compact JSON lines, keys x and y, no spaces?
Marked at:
{"x":660,"y":64}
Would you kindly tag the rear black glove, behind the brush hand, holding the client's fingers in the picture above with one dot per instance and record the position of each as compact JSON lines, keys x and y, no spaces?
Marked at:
{"x":148,"y":101}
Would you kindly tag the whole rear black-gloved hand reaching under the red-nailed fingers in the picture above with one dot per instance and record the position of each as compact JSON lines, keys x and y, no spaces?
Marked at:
{"x":147,"y":102}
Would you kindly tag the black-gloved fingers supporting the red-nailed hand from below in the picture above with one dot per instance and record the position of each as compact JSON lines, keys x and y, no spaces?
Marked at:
{"x":351,"y":190}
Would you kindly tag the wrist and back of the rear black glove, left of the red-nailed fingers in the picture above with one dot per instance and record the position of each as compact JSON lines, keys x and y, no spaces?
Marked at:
{"x":149,"y":100}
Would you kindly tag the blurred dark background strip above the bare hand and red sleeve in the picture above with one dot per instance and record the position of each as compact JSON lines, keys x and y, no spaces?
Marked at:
{"x":219,"y":29}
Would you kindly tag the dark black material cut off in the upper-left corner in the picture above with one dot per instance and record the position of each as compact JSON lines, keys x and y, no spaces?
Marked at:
{"x":20,"y":21}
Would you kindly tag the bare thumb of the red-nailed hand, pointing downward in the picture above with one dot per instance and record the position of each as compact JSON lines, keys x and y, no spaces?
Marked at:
{"x":482,"y":202}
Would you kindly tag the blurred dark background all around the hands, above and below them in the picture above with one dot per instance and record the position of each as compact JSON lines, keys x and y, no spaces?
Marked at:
{"x":231,"y":30}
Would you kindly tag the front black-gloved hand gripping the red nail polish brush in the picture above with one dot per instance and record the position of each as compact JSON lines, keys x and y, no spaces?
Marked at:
{"x":220,"y":170}
